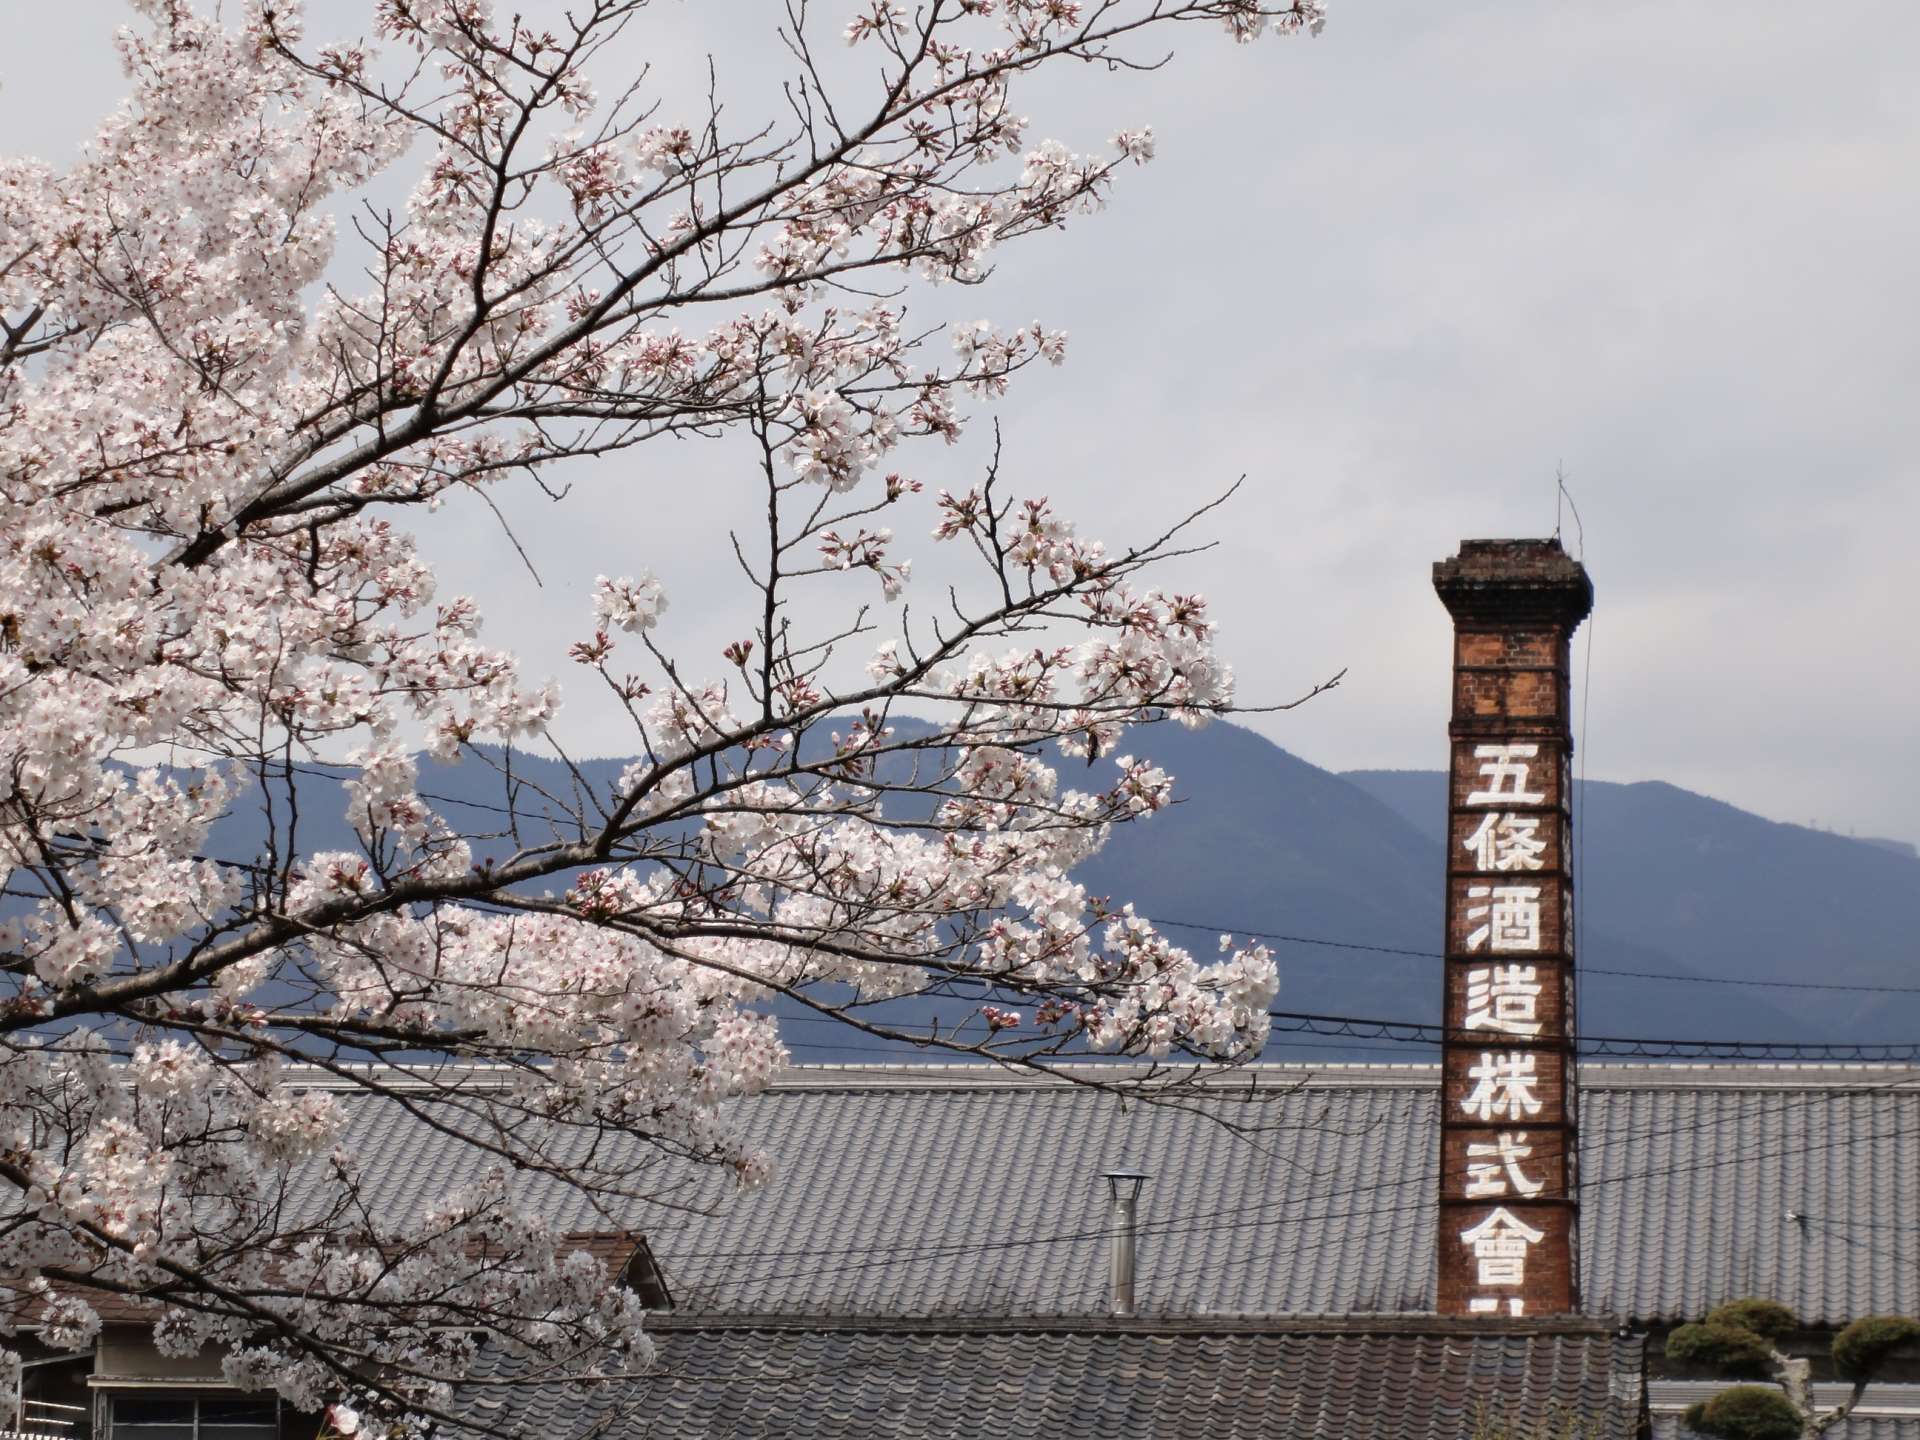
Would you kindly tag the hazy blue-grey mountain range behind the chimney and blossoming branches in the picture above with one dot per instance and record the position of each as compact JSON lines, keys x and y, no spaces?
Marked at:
{"x":1671,"y":884}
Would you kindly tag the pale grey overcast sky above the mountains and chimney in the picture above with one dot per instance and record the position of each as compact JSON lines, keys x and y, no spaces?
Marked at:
{"x":1397,"y":277}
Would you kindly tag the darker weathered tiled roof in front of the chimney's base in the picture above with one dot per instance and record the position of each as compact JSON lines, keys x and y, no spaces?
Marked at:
{"x":861,"y":1383}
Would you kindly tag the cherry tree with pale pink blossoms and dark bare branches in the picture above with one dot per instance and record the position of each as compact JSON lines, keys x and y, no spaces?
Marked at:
{"x":231,"y":393}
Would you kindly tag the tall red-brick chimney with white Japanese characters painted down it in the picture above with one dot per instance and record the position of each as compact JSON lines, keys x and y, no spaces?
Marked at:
{"x":1508,"y":1103}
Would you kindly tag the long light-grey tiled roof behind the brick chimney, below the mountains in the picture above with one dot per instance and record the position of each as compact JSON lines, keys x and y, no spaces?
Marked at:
{"x":946,"y":1193}
